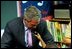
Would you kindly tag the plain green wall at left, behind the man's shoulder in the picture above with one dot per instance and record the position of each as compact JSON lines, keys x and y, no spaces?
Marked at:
{"x":8,"y":12}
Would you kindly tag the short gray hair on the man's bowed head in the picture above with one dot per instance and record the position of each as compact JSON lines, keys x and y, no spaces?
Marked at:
{"x":32,"y":12}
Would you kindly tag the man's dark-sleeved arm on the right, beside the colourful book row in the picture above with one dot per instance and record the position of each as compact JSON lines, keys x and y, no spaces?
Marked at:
{"x":45,"y":35}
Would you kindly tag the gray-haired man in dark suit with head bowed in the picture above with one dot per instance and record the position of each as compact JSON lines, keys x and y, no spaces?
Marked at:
{"x":16,"y":31}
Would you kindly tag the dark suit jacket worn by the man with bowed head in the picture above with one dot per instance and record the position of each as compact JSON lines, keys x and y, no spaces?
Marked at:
{"x":13,"y":36}
